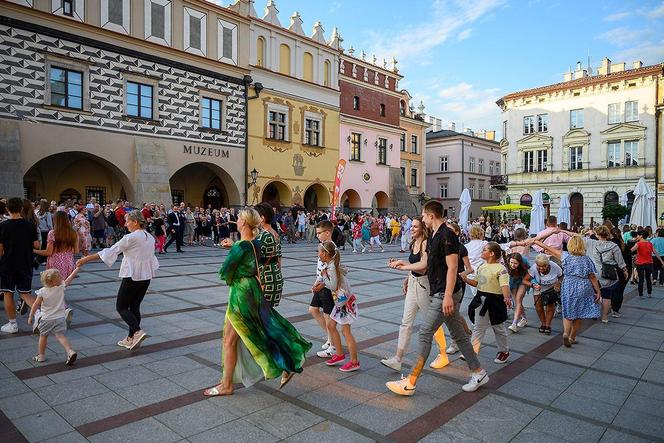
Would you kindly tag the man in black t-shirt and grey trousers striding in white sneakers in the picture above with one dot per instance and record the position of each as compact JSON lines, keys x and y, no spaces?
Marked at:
{"x":445,"y":286}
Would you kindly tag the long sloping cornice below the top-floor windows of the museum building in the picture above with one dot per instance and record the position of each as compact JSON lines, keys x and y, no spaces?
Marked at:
{"x":72,"y":25}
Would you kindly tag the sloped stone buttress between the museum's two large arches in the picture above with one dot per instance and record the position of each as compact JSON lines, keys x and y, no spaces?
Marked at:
{"x":151,"y":176}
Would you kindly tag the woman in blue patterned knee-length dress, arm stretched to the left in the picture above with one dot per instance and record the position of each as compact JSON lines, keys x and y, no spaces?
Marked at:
{"x":580,"y":291}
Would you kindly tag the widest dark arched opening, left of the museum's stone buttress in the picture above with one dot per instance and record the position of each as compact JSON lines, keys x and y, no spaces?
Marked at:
{"x":86,"y":173}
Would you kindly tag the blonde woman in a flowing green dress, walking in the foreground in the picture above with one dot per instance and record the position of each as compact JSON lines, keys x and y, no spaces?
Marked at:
{"x":257,"y":341}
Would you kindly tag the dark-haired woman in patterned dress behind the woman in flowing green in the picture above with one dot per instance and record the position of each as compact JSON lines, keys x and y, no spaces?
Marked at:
{"x":269,"y":264}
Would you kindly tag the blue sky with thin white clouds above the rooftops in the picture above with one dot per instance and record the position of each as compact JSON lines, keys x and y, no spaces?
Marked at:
{"x":460,"y":56}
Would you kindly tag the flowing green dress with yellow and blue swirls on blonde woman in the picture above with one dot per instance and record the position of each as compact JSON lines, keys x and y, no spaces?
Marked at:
{"x":269,"y":344}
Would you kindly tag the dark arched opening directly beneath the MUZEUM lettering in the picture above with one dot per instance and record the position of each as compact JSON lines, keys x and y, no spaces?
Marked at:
{"x":196,"y":182}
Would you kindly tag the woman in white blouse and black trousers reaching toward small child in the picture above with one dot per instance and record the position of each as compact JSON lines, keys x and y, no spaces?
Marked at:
{"x":136,"y":271}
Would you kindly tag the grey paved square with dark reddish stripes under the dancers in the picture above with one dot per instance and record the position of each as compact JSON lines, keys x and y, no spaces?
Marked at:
{"x":608,"y":388}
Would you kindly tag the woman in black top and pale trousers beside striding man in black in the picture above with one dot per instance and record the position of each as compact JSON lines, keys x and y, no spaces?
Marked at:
{"x":416,"y":289}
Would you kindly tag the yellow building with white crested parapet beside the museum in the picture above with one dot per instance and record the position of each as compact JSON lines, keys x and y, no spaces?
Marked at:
{"x":293,"y":133}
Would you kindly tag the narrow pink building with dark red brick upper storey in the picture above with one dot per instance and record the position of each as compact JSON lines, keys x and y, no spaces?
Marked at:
{"x":370,"y":136}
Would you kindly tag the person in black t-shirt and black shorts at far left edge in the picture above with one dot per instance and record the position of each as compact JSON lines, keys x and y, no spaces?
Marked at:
{"x":18,"y":237}
